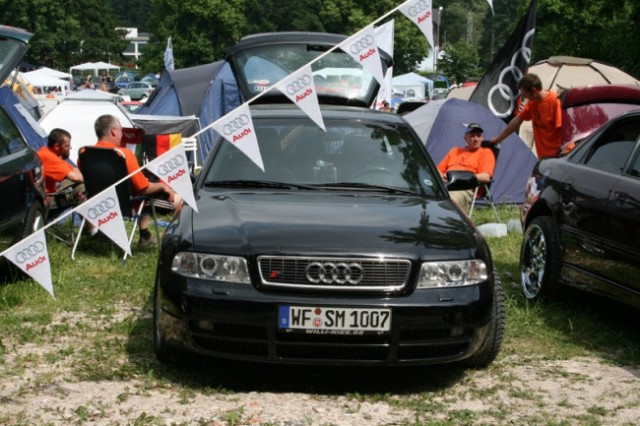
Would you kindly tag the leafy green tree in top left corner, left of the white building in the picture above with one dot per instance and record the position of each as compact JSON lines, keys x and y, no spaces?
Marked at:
{"x":68,"y":33}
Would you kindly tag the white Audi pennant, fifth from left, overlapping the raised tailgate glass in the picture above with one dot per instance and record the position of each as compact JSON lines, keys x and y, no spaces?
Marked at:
{"x":300,"y":89}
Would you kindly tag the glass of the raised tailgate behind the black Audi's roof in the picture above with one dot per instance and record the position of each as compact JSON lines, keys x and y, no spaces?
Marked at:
{"x":336,"y":74}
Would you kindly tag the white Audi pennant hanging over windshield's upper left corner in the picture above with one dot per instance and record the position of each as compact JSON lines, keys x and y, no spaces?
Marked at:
{"x":237,"y":128}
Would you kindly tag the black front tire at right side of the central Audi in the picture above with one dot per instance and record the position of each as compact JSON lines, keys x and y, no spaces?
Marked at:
{"x":492,"y":342}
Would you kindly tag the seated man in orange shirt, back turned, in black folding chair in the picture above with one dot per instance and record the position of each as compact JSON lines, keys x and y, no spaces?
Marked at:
{"x":109,"y":132}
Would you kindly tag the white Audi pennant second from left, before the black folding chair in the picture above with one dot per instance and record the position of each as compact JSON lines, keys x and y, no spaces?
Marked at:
{"x":103,"y":212}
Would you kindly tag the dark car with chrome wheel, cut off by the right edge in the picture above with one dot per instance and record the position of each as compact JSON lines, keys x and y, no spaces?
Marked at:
{"x":581,"y":217}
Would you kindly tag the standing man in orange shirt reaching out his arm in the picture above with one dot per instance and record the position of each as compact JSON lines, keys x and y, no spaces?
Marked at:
{"x":545,"y":112}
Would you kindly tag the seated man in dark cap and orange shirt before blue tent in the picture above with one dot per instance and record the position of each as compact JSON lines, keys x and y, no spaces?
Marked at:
{"x":472,"y":158}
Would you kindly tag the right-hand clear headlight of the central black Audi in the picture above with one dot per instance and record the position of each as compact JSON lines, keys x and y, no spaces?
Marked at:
{"x":452,"y":274}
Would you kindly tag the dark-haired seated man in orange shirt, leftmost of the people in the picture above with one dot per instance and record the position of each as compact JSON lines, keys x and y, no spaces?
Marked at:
{"x":58,"y":173}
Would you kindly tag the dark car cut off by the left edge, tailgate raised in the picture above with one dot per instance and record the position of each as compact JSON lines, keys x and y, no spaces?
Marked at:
{"x":20,"y":169}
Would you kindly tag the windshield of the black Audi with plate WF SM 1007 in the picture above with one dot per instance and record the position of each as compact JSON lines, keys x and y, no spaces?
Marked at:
{"x":354,"y":155}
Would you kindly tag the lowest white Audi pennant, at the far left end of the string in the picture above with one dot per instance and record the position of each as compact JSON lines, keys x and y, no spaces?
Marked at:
{"x":32,"y":257}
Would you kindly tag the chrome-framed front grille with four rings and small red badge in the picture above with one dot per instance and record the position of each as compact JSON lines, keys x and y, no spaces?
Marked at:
{"x":341,"y":274}
